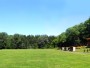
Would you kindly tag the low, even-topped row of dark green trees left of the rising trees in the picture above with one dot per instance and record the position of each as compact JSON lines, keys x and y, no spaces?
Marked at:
{"x":18,"y":41}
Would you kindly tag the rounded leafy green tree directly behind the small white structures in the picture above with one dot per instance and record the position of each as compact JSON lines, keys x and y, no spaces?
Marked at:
{"x":72,"y":35}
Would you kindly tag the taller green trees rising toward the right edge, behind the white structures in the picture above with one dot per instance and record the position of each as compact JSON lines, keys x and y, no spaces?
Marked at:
{"x":75,"y":36}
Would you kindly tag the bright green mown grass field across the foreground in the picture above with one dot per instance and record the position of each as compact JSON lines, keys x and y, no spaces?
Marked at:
{"x":43,"y":58}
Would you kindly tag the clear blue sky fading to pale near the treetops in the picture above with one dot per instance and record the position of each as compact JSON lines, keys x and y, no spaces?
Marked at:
{"x":38,"y":17}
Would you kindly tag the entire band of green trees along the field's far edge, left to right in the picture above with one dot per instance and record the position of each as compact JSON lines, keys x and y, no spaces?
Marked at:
{"x":73,"y":36}
